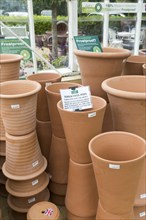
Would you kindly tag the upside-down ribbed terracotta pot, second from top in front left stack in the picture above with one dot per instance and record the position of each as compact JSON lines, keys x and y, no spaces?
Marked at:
{"x":24,"y":159}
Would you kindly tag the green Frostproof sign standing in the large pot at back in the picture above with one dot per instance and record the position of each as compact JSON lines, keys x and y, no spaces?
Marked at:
{"x":88,"y":43}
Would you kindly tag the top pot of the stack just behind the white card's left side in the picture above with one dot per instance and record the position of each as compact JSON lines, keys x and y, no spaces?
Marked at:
{"x":53,"y":96}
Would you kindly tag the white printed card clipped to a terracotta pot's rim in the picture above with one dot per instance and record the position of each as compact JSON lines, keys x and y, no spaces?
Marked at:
{"x":76,"y":98}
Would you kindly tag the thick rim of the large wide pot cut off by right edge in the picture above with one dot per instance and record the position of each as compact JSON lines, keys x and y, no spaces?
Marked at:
{"x":122,"y":93}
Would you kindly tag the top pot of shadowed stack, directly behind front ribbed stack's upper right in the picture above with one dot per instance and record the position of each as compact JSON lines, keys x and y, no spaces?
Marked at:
{"x":44,"y":79}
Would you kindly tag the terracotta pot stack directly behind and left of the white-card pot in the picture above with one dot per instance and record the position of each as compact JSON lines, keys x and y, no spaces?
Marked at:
{"x":59,"y":157}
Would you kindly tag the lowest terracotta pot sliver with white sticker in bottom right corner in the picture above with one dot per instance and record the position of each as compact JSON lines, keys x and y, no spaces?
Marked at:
{"x":140,"y":212}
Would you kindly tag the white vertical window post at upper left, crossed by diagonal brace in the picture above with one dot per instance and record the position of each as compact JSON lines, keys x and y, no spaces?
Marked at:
{"x":31,"y":31}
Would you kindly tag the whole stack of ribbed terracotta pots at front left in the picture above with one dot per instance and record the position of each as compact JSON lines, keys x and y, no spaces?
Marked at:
{"x":25,"y":165}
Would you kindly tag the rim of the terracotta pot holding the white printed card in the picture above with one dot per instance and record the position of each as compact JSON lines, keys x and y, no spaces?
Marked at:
{"x":86,"y":111}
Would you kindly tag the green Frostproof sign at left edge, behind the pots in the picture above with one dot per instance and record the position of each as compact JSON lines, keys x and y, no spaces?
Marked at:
{"x":14,"y":46}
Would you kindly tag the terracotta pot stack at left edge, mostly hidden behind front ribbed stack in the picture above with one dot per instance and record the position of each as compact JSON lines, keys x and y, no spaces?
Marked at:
{"x":10,"y":67}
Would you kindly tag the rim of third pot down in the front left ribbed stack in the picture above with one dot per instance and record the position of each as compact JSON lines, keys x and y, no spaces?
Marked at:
{"x":31,"y":192}
